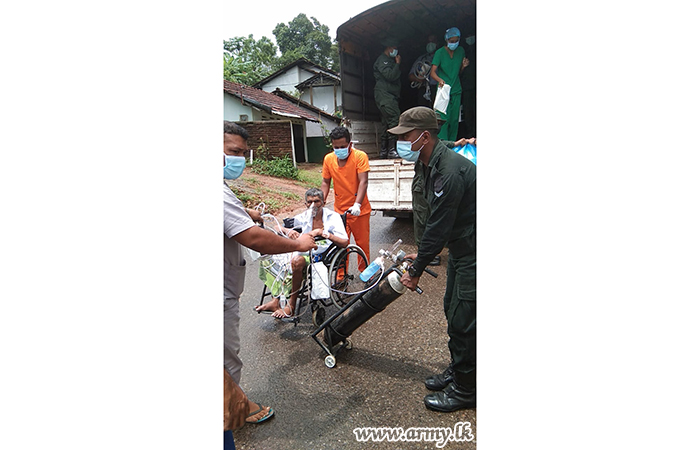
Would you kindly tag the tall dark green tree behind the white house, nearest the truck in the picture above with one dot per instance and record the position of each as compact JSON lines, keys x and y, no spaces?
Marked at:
{"x":304,"y":38}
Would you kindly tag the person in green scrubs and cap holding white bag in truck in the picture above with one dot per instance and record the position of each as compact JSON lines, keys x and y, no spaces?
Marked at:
{"x":448,"y":63}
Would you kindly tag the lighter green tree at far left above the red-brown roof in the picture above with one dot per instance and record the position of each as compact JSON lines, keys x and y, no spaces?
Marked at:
{"x":248,"y":61}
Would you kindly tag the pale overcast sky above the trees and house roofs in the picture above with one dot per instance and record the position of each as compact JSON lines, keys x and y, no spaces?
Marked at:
{"x":260,"y":18}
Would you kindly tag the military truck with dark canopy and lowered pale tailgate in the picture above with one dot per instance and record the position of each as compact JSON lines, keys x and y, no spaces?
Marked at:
{"x":359,"y":41}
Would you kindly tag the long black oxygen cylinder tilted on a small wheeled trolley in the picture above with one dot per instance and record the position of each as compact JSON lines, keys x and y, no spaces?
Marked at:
{"x":371,"y":303}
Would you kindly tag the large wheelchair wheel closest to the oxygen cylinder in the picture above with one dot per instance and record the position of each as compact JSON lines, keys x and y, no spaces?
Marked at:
{"x":344,"y":274}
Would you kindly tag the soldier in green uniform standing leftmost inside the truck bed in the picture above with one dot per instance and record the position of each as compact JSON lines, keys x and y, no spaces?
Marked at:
{"x":387,"y":91}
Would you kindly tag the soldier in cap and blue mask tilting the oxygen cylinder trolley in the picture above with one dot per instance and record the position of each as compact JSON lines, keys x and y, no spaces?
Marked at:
{"x":449,"y":187}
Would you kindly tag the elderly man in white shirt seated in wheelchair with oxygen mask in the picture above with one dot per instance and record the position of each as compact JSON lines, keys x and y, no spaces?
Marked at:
{"x":327,"y":228}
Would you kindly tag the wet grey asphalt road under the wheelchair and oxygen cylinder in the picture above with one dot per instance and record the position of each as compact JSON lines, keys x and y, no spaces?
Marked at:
{"x":378,"y":383}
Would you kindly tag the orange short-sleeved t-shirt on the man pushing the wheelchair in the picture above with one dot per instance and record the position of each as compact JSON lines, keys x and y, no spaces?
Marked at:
{"x":345,"y":182}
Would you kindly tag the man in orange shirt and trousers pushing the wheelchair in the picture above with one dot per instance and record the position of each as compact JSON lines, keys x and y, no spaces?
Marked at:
{"x":348,"y":167}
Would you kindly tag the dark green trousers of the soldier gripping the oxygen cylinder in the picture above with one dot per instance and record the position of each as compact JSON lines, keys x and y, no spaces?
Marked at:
{"x":460,"y":310}
